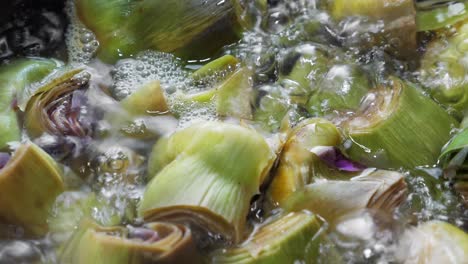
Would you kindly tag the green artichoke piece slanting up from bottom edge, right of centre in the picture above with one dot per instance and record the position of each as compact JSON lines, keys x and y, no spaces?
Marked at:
{"x":292,"y":238}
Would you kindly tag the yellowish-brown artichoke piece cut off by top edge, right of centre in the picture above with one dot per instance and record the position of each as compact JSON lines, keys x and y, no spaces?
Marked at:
{"x":393,"y":23}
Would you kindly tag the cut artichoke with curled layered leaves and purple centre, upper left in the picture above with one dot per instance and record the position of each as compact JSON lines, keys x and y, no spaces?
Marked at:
{"x":55,"y":108}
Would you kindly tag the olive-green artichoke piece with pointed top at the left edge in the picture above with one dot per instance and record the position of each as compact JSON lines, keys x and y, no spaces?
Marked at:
{"x":30,"y":182}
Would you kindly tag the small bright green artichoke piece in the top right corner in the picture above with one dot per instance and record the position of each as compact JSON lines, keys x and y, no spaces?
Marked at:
{"x":434,"y":15}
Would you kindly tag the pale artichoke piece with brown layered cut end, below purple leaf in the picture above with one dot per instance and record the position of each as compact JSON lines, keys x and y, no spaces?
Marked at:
{"x":375,"y":189}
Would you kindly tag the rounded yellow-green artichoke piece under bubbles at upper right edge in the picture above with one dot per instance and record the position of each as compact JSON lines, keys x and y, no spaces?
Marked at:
{"x":443,"y":69}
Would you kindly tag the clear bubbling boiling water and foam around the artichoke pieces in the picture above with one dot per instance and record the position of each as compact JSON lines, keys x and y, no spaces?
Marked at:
{"x":117,"y":169}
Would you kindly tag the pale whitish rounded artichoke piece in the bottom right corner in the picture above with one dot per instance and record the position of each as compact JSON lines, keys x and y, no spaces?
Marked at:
{"x":433,"y":242}
